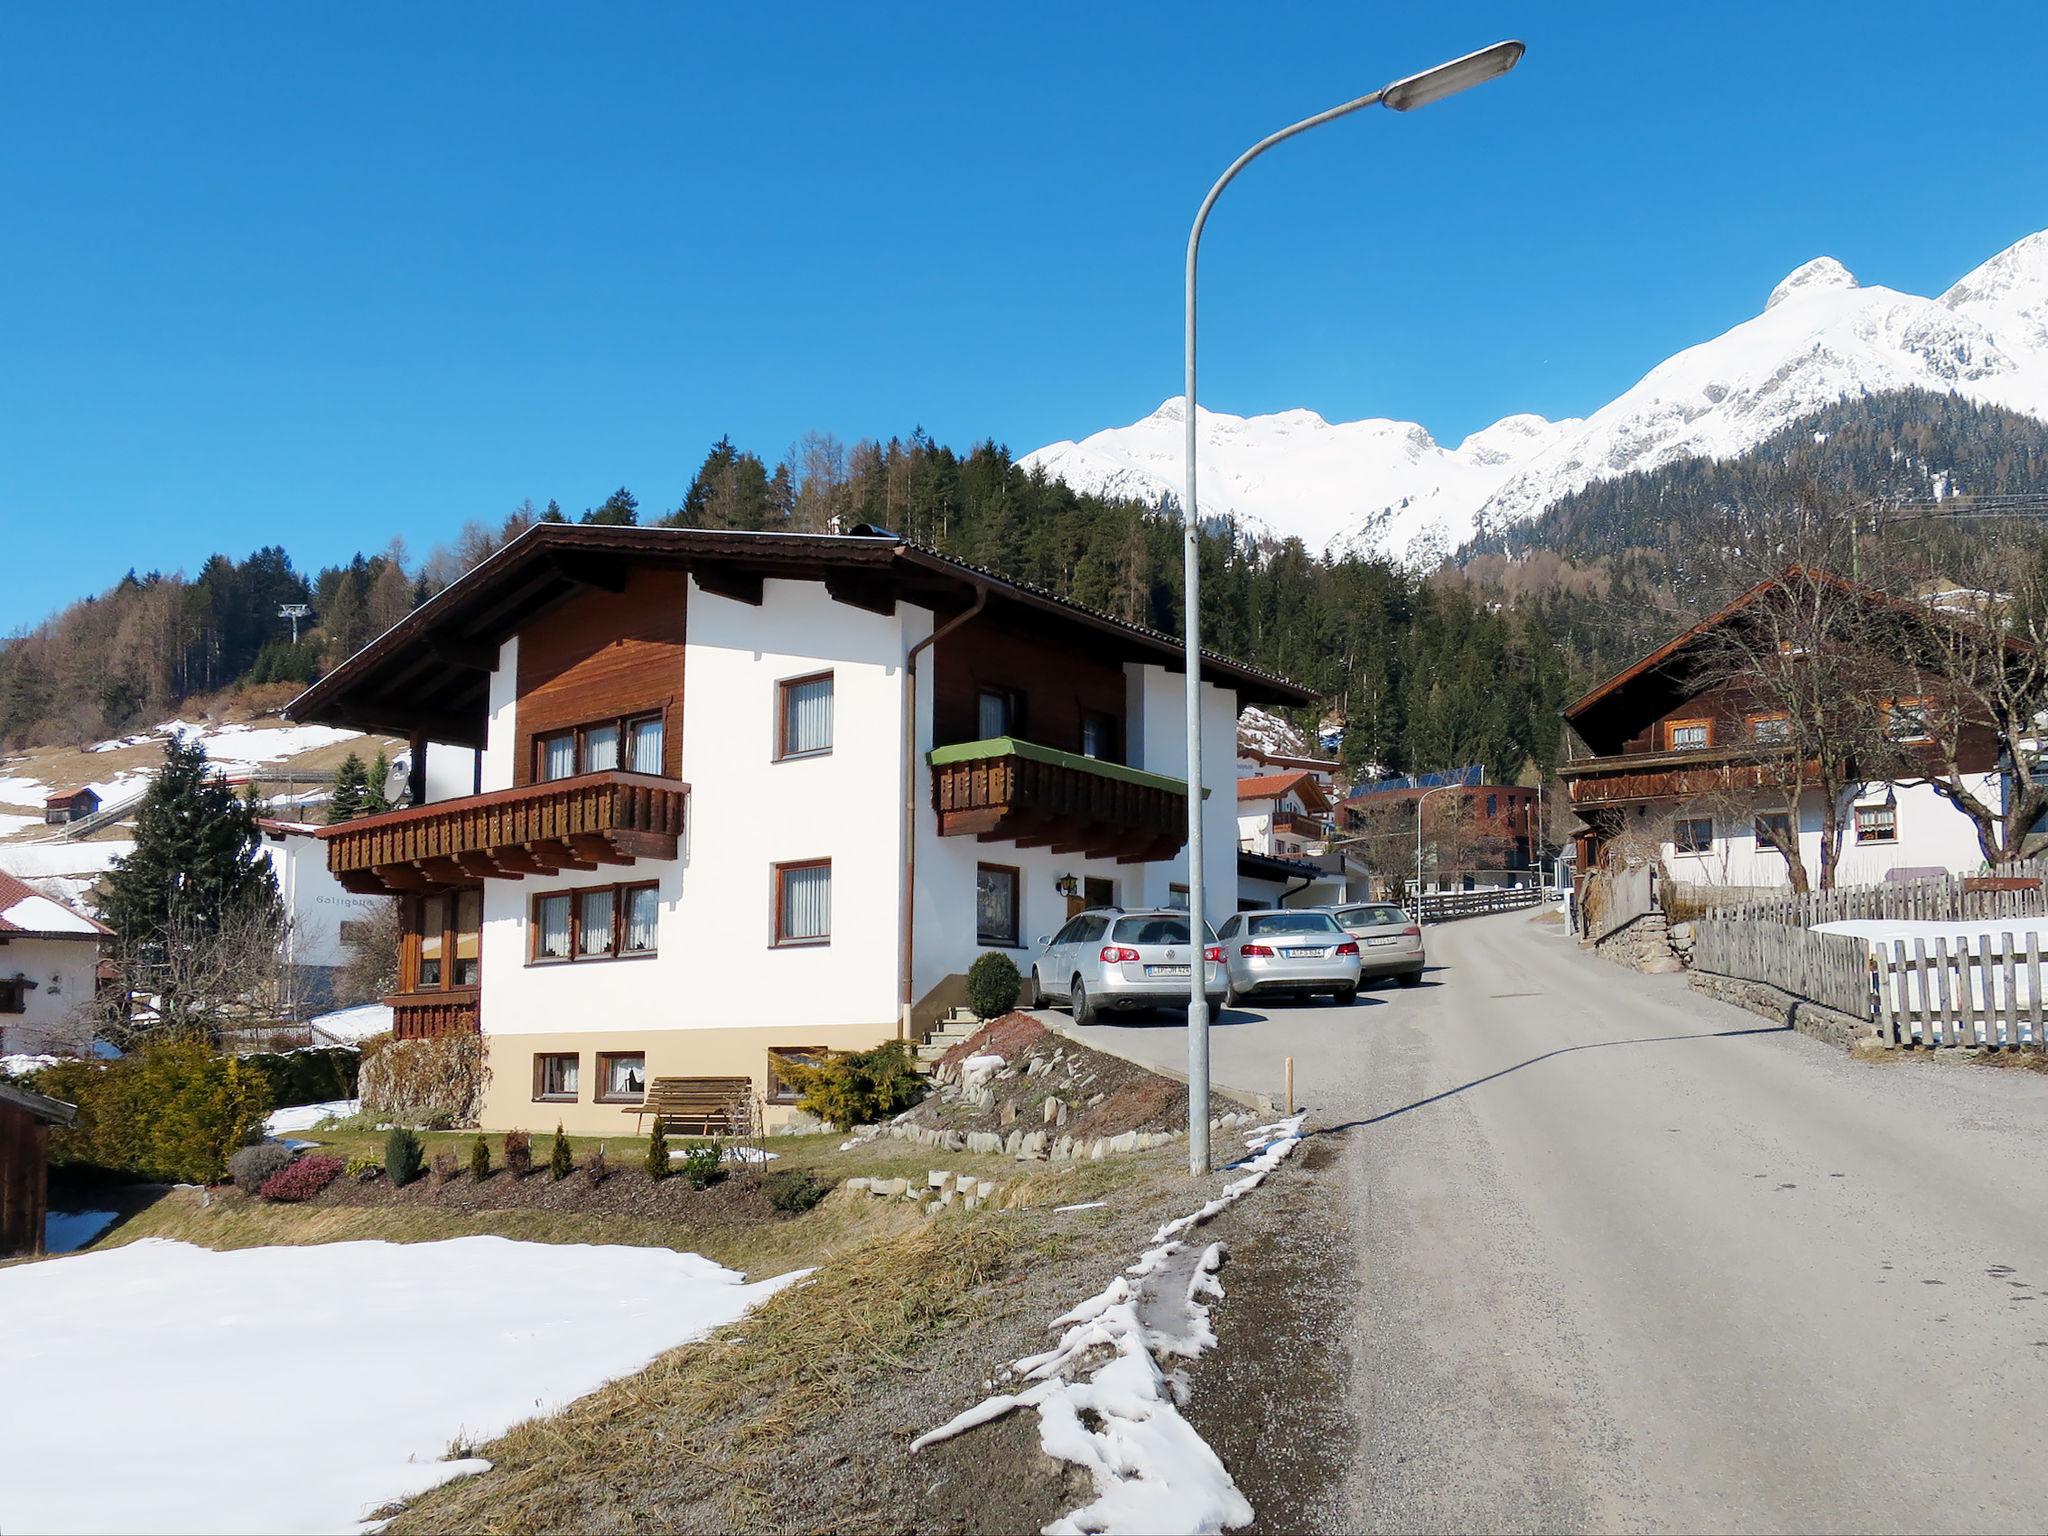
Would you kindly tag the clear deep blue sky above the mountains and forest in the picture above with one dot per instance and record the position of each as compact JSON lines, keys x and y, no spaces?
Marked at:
{"x":316,"y":275}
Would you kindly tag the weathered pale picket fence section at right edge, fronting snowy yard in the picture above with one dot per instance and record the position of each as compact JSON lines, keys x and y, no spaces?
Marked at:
{"x":1977,"y":992}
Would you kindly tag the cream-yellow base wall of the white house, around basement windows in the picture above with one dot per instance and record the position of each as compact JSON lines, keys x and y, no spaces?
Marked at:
{"x":513,"y":1070}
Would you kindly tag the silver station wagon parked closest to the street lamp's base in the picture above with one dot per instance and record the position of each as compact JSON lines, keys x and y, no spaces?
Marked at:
{"x":1111,"y":959}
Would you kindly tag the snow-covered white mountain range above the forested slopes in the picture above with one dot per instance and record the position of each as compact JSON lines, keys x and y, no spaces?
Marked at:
{"x":1392,"y":488}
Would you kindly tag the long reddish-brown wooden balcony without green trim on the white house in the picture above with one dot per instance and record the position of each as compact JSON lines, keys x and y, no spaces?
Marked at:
{"x":566,"y":824}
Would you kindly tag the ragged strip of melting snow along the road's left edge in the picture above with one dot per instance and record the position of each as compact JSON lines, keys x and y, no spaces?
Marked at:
{"x":1154,"y":1474}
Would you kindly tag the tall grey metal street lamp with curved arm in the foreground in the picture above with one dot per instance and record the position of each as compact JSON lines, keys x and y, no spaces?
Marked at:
{"x":1402,"y":97}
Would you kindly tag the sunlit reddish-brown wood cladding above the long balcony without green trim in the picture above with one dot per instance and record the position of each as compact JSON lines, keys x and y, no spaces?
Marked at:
{"x":605,"y":656}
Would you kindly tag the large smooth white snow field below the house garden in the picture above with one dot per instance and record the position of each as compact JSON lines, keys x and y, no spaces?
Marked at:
{"x":151,"y":1385}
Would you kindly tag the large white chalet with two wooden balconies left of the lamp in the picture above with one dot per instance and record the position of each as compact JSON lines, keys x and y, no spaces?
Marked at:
{"x":734,"y":794}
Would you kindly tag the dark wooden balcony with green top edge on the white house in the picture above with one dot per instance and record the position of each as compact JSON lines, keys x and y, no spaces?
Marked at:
{"x":1037,"y":798}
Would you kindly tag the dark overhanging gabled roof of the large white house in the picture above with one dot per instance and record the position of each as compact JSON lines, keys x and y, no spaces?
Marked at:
{"x":429,"y":673}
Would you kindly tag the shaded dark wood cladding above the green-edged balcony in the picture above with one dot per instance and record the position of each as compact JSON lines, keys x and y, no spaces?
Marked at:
{"x":1058,"y":683}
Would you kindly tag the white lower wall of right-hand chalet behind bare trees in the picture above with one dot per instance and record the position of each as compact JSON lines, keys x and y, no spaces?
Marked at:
{"x":1932,"y":835}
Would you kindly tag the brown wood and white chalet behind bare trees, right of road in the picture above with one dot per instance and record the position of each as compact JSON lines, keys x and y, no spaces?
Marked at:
{"x":1682,"y":759}
